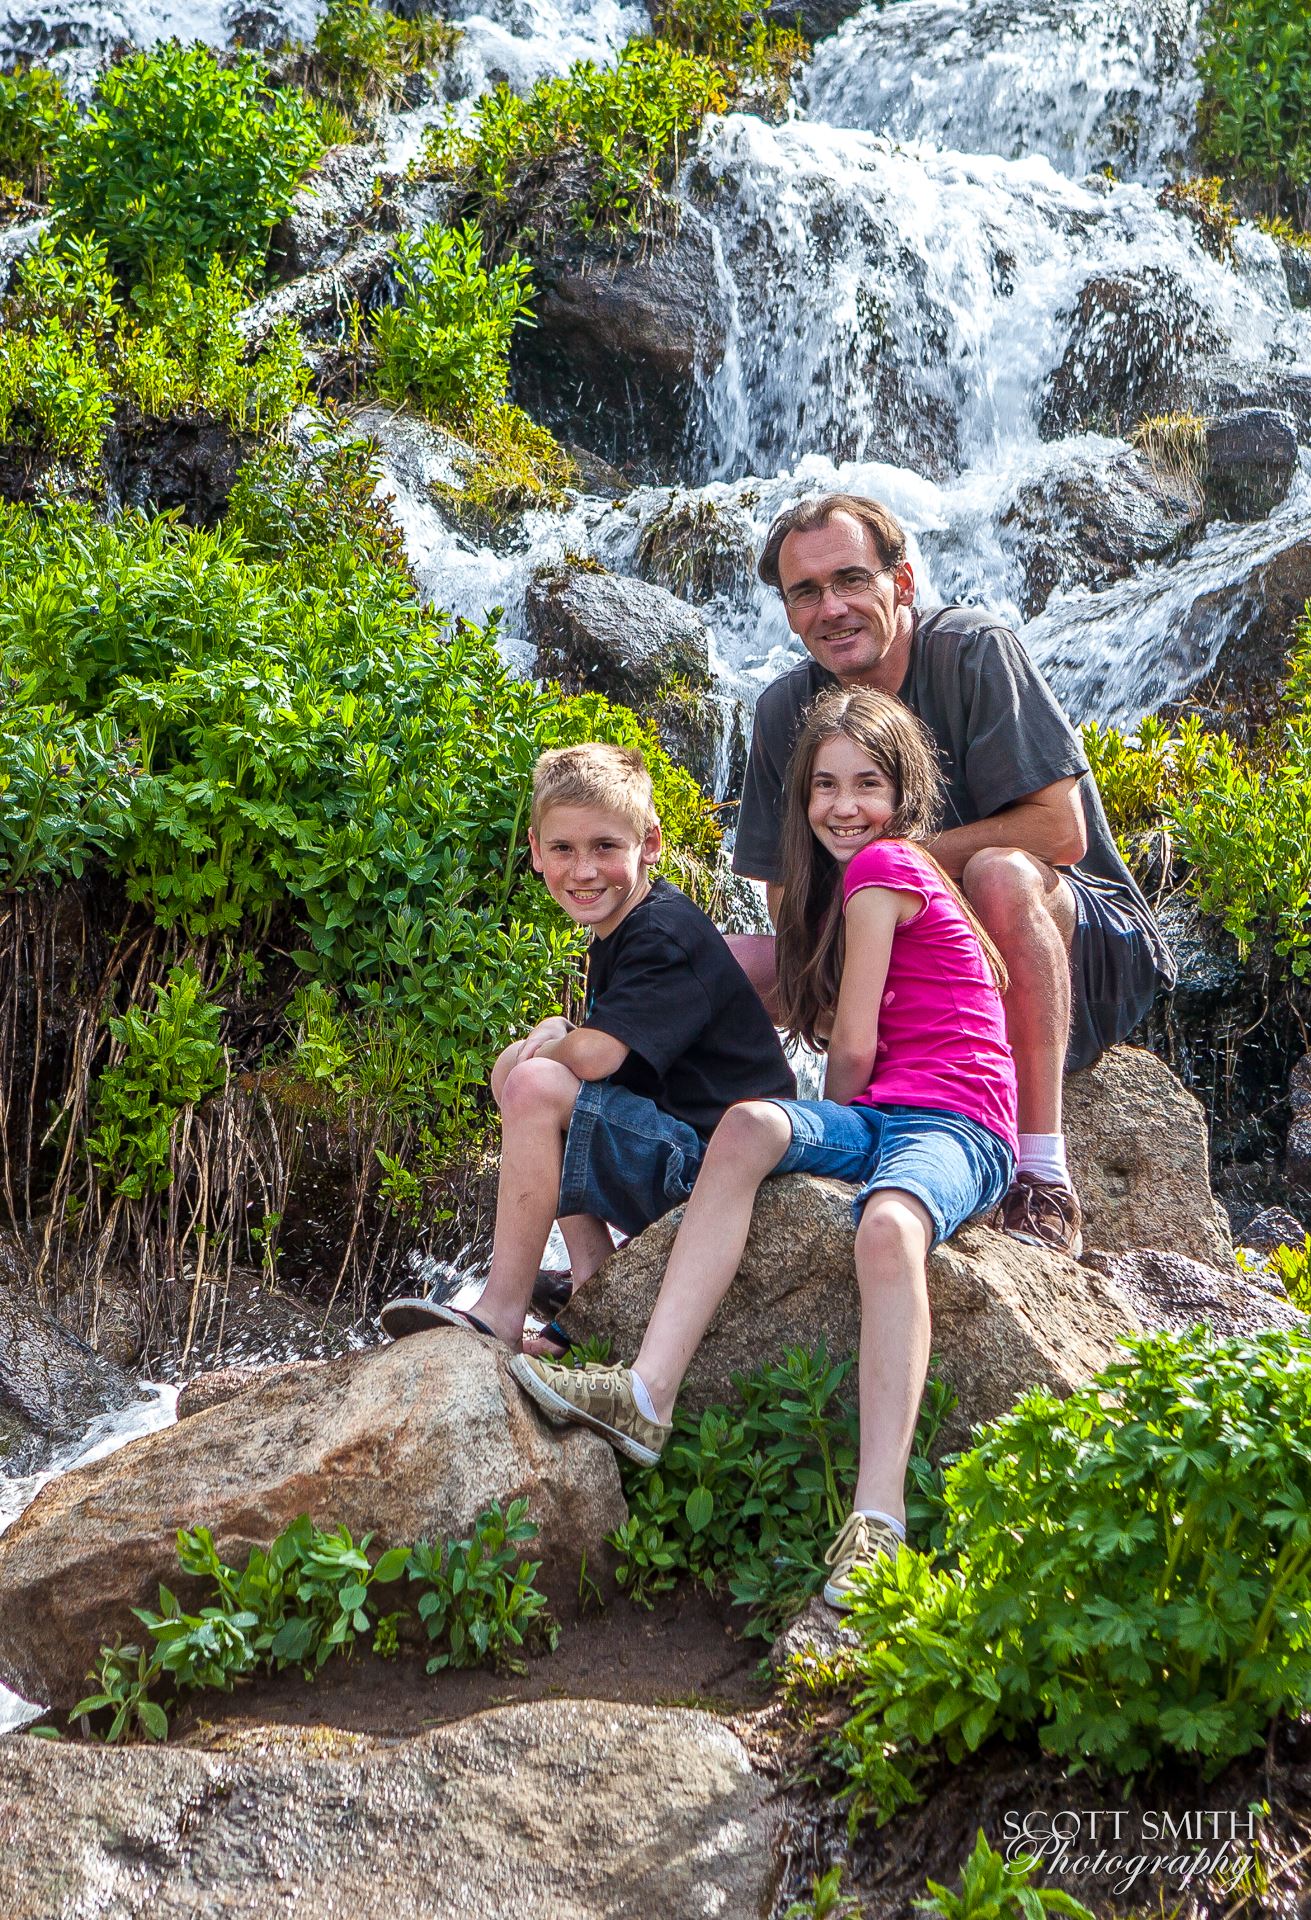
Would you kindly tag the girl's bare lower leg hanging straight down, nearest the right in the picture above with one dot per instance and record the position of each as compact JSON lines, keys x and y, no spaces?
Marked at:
{"x":892,"y":1249}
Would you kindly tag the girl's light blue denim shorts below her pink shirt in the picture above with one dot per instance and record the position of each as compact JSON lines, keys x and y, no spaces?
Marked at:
{"x":951,"y":1164}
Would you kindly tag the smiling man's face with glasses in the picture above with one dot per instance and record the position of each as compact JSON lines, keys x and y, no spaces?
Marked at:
{"x":851,"y":631}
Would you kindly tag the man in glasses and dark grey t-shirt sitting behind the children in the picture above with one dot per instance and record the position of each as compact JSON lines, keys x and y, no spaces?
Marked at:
{"x":1024,"y":828}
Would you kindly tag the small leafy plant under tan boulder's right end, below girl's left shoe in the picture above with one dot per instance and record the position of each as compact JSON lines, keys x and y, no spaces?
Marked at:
{"x":479,"y":1602}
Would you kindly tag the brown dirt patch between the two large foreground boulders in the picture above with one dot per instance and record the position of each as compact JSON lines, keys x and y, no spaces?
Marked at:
{"x":682,"y":1654}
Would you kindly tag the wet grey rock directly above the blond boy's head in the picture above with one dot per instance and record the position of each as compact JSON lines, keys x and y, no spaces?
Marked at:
{"x":598,"y":633}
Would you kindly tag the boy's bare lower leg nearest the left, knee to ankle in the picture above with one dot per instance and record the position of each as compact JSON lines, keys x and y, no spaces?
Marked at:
{"x":536,"y":1105}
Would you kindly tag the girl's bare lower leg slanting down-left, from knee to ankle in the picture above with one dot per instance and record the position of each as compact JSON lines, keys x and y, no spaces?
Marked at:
{"x":748,"y":1145}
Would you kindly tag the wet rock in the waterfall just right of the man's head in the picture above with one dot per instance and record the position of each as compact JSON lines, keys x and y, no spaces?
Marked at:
{"x":1095,"y":519}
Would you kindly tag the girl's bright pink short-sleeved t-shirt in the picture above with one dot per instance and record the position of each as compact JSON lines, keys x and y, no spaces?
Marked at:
{"x":942,"y":1024}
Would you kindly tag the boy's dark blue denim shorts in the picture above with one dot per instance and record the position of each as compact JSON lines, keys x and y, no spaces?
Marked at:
{"x":625,"y":1161}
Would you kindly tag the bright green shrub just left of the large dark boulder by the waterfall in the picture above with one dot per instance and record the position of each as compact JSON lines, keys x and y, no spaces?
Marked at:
{"x":448,"y":343}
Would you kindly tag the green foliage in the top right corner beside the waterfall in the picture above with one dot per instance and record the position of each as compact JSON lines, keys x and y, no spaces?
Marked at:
{"x":1256,"y":97}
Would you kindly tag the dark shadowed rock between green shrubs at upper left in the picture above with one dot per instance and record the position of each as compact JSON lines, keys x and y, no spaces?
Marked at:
{"x":185,"y":462}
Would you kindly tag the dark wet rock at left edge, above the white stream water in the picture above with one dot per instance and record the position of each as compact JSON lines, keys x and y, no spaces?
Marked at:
{"x":53,"y":1387}
